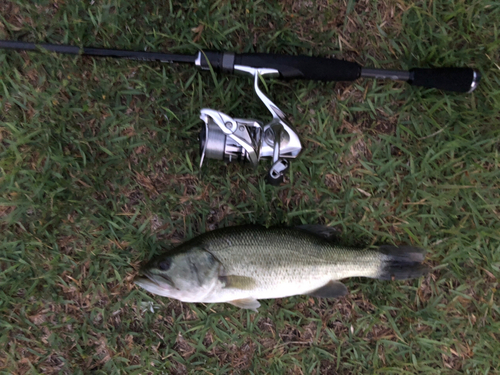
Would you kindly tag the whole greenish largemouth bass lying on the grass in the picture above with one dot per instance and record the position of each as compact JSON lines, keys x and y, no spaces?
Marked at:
{"x":243,"y":264}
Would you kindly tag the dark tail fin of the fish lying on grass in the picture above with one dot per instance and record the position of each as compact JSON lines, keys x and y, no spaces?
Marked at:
{"x":402,"y":262}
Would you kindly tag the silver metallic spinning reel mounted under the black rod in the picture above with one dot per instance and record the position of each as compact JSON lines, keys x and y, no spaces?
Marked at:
{"x":248,"y":140}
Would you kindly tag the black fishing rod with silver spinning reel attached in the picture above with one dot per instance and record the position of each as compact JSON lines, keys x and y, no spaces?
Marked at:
{"x":232,"y":139}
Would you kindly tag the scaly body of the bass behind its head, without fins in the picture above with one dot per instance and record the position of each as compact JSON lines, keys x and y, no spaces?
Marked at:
{"x":285,"y":260}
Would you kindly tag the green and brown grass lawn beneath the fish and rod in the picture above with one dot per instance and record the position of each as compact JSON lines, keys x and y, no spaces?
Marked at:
{"x":98,"y":162}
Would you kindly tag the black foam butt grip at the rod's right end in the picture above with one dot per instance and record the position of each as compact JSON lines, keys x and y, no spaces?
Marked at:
{"x":449,"y":79}
